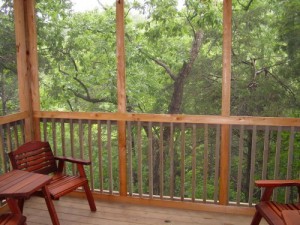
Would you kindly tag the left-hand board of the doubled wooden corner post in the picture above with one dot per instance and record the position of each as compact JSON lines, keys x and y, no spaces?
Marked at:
{"x":23,"y":76}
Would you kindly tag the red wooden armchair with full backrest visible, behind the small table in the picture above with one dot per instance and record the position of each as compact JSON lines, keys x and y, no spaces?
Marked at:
{"x":37,"y":156}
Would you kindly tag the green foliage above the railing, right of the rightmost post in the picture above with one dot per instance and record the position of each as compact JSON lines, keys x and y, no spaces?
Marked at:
{"x":262,"y":84}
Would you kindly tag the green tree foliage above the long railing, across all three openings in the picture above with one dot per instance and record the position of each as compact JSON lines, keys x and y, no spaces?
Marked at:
{"x":81,"y":58}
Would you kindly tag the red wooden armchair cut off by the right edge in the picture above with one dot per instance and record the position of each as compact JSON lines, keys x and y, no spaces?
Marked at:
{"x":276,"y":213}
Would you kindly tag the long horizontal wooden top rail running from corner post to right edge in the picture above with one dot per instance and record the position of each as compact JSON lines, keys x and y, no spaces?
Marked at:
{"x":168,"y":118}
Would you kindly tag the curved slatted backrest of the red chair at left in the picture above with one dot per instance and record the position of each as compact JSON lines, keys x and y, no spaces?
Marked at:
{"x":34,"y":156}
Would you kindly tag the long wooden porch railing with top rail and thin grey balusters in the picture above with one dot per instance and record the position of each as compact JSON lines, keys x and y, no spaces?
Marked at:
{"x":176,"y":157}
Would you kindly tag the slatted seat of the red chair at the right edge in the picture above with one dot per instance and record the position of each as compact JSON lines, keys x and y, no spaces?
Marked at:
{"x":272,"y":211}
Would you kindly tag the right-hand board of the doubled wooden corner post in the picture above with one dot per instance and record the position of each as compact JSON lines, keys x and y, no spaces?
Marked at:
{"x":32,"y":64}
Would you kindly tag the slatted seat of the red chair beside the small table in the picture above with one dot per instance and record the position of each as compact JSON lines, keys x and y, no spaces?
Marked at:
{"x":64,"y":184}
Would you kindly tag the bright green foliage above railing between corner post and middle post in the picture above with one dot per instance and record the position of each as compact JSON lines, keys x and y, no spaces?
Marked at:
{"x":81,"y":64}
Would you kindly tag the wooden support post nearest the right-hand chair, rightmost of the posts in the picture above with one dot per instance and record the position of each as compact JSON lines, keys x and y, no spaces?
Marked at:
{"x":226,"y":86}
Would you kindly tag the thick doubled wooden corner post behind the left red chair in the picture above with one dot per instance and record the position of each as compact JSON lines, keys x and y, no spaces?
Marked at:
{"x":27,"y":65}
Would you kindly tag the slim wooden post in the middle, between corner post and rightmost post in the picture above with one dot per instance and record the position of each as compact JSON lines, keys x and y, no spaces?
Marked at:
{"x":121,"y":95}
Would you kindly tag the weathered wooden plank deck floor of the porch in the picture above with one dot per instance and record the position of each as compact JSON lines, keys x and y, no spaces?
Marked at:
{"x":76,"y":211}
